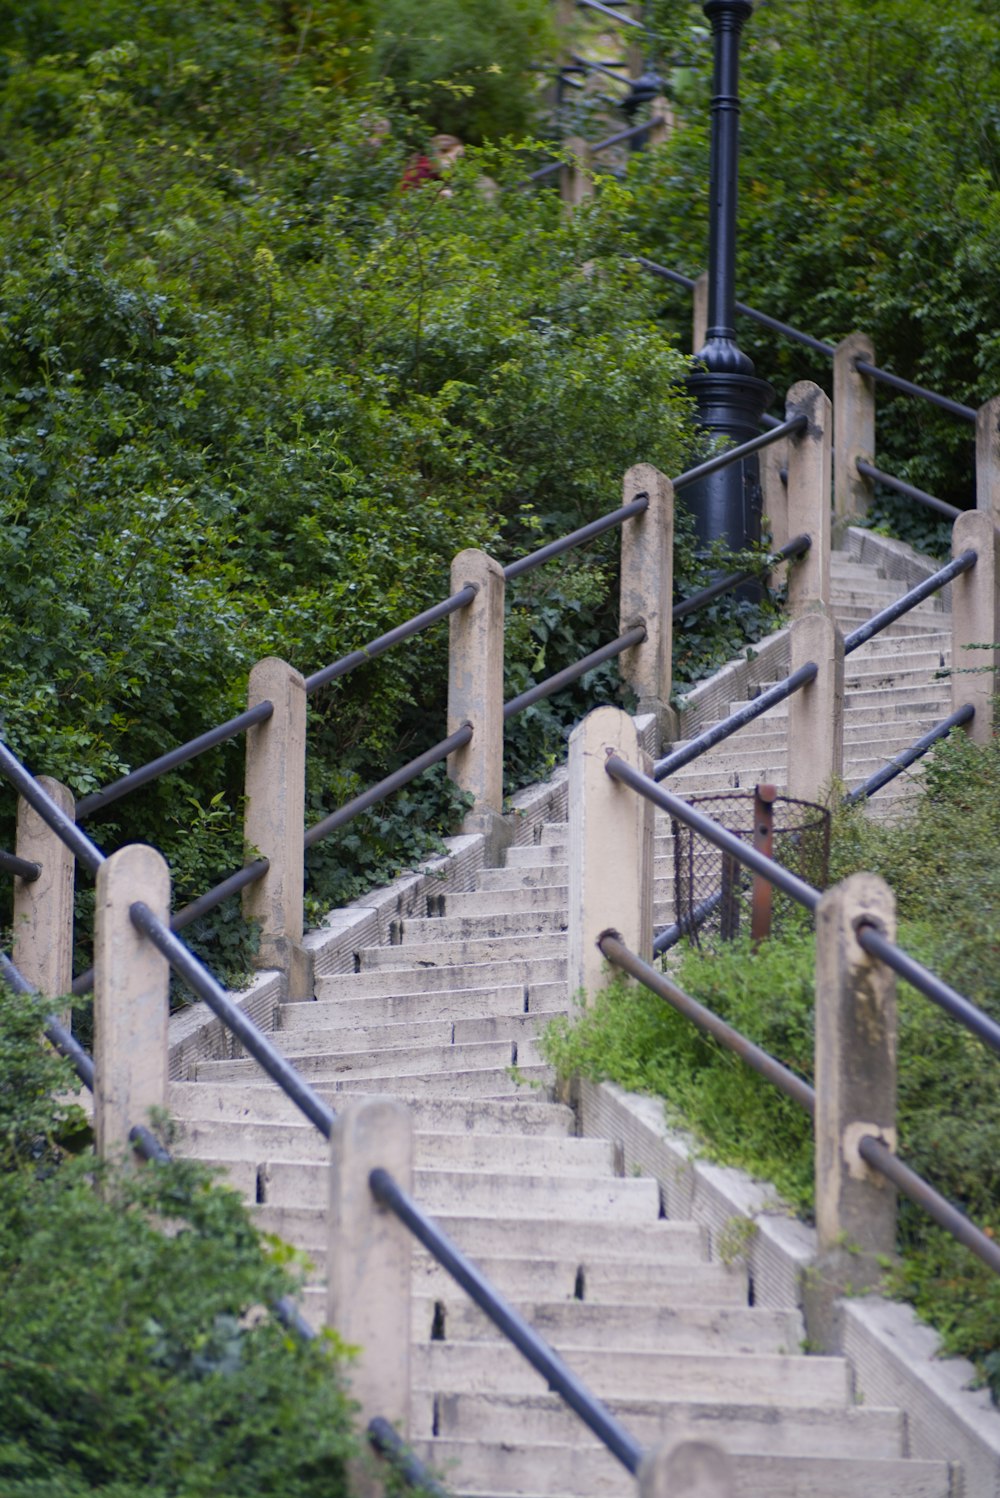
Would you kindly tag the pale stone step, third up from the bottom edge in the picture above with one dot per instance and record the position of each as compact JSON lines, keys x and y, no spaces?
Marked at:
{"x":770,"y":1379}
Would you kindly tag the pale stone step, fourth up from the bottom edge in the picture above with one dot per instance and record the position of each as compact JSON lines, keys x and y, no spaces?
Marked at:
{"x":634,"y":1328}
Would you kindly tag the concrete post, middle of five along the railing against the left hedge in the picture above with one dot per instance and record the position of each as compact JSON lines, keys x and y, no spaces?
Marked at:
{"x":475,"y":696}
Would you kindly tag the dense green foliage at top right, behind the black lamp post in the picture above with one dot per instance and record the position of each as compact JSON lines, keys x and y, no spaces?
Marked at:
{"x":871,"y":200}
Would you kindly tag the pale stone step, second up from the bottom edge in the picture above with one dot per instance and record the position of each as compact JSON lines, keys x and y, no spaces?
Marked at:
{"x":779,"y":1431}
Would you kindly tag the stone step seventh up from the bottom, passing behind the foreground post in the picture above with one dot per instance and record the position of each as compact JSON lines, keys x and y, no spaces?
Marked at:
{"x":499,"y":1195}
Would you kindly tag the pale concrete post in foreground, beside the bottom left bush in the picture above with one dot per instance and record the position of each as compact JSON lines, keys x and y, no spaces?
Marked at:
{"x":369,"y":1258}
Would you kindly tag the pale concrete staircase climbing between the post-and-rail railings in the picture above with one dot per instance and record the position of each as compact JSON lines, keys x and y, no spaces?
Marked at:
{"x":445,"y":1016}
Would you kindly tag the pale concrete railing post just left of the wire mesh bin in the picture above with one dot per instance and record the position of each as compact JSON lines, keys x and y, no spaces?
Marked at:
{"x":610,"y":849}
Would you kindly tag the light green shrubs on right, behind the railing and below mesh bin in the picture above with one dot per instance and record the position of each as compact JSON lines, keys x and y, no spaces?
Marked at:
{"x":942,"y":864}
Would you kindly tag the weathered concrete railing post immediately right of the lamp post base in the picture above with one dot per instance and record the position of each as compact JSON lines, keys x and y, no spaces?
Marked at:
{"x":809,"y":494}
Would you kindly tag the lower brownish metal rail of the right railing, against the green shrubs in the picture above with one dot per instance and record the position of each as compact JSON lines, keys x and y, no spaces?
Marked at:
{"x":872,"y":1150}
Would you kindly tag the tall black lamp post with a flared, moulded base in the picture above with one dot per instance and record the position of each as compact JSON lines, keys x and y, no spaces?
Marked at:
{"x":731,"y":399}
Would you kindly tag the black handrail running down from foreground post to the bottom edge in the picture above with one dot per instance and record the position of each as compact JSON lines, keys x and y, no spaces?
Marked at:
{"x":504,"y":1316}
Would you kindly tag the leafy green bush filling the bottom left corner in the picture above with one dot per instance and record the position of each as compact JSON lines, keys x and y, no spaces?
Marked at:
{"x":135,"y":1353}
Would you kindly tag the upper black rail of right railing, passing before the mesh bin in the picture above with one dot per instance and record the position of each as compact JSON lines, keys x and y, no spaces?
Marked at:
{"x":803,"y":894}
